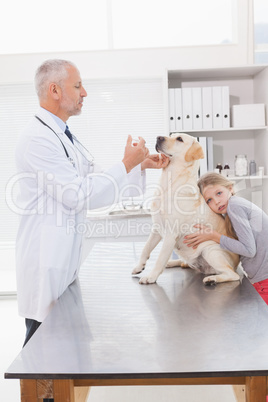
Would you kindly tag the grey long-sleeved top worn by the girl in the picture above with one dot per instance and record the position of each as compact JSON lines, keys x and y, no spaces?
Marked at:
{"x":251,"y":226}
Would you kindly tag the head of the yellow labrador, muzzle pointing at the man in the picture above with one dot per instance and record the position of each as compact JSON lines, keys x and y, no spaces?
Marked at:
{"x":180,"y":146}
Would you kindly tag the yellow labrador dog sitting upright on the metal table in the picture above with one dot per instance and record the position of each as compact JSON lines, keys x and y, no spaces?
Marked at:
{"x":178,"y":206}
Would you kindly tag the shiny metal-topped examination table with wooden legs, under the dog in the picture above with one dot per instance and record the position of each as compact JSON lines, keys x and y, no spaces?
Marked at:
{"x":107,"y":329}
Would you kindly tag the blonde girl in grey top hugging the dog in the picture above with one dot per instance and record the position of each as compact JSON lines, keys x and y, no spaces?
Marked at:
{"x":247,"y":229}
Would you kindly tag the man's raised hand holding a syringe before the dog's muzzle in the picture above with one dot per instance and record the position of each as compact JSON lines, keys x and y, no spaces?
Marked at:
{"x":134,"y":154}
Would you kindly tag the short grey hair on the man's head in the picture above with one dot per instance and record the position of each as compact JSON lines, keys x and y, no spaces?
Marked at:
{"x":54,"y":70}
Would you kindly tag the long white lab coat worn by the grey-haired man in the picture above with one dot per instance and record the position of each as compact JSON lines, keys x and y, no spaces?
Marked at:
{"x":54,"y":197}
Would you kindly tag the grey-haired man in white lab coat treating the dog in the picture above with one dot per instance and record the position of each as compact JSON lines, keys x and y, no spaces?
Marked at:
{"x":58,"y":182}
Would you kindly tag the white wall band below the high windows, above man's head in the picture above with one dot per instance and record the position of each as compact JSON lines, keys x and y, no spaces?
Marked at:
{"x":142,"y":62}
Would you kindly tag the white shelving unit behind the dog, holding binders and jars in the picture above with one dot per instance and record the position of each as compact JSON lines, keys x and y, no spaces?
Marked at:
{"x":247,"y":85}
